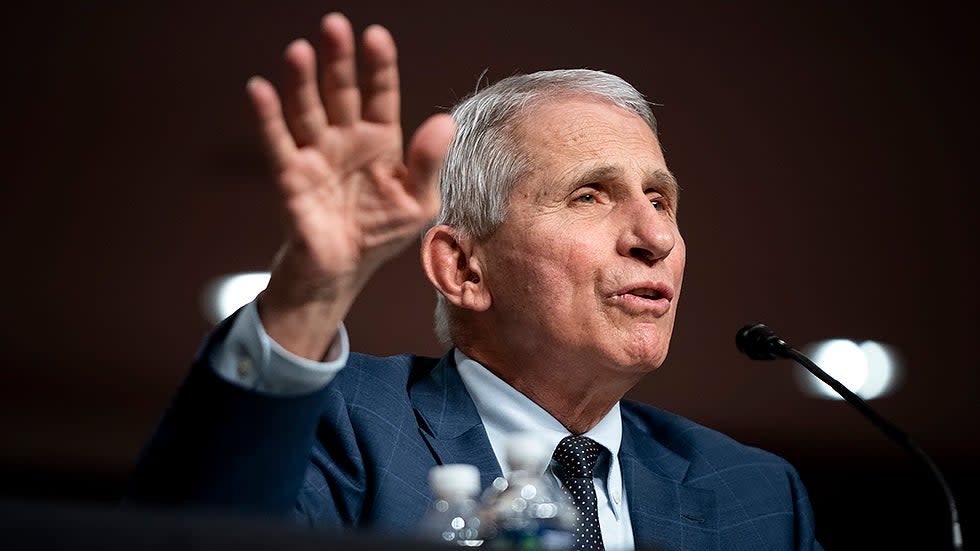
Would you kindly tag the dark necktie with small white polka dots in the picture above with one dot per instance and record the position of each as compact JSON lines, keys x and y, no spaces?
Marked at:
{"x":576,"y":457}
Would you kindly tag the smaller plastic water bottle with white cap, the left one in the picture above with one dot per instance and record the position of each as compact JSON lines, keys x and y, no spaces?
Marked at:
{"x":454,"y":517}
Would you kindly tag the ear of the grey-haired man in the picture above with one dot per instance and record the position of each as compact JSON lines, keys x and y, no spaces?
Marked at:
{"x":452,"y":269}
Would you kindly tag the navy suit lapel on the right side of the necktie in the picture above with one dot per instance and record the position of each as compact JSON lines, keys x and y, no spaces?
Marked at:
{"x":663,"y":510}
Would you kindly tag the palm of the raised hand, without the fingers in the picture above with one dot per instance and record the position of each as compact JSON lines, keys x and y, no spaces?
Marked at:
{"x":349,"y":199}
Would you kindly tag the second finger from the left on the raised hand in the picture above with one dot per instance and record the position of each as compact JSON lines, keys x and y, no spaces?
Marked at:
{"x":304,"y":110}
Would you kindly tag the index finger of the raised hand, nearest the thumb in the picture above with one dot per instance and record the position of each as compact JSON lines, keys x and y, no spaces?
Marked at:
{"x":379,"y":77}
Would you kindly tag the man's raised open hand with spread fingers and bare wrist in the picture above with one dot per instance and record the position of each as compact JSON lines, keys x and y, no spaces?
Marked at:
{"x":352,"y":199}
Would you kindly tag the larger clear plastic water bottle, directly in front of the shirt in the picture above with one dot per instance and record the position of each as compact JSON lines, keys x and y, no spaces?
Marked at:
{"x":528,"y":511}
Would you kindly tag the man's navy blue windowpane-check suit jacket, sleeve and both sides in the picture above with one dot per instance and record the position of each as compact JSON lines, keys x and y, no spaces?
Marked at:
{"x":358,"y":453}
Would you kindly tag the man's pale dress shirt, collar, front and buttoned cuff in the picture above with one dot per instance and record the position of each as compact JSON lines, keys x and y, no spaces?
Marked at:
{"x":250,"y":359}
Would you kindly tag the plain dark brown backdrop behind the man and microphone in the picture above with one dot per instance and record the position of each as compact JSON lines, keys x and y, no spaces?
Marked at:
{"x":825,"y":152}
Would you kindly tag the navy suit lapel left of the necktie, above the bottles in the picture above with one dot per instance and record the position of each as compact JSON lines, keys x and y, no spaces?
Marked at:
{"x":449,"y":422}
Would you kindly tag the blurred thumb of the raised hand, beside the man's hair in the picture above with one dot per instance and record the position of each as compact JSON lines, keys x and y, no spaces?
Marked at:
{"x":426,"y":155}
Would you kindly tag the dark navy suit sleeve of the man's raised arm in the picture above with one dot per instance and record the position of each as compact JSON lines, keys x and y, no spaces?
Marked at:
{"x":220,"y":446}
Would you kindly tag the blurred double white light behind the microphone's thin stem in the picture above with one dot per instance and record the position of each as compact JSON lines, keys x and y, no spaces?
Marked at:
{"x":869,"y":369}
